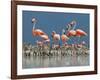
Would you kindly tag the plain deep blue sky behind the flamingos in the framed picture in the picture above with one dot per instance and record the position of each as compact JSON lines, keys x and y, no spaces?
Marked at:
{"x":54,"y":21}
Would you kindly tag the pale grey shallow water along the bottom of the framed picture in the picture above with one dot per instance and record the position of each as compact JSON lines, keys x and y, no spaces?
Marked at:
{"x":54,"y":61}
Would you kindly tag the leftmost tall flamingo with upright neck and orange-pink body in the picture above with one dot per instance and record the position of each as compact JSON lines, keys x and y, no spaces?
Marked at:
{"x":36,"y":32}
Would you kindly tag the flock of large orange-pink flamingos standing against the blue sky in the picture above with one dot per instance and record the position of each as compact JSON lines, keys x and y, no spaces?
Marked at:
{"x":66,"y":34}
